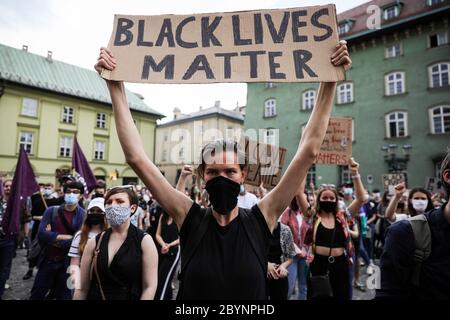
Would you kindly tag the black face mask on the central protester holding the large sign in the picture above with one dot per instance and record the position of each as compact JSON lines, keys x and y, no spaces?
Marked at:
{"x":223,"y":193}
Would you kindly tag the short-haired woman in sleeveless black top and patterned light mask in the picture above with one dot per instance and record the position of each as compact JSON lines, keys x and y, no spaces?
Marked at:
{"x":120,"y":263}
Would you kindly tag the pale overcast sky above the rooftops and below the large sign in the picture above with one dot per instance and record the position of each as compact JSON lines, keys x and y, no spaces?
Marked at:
{"x":75,"y":29}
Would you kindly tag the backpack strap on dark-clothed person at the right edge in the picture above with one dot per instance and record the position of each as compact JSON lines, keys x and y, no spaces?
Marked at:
{"x":422,"y":244}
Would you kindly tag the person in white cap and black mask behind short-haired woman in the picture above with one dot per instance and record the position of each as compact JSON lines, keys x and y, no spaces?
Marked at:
{"x":93,"y":224}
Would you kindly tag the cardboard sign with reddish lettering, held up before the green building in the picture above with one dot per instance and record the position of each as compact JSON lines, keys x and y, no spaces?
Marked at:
{"x":337,"y":145}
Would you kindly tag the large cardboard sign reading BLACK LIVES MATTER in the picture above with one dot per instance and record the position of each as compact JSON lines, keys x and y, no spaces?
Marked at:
{"x":282,"y":45}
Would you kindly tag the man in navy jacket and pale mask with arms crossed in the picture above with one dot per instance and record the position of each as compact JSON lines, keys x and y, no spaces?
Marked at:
{"x":58,"y":225}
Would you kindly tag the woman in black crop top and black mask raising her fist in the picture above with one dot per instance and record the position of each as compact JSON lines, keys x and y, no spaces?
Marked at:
{"x":332,"y":248}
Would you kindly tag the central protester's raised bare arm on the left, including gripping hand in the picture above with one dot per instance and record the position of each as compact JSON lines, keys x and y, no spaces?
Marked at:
{"x":173,"y":201}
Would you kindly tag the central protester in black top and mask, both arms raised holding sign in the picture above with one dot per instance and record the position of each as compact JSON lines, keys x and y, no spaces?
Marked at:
{"x":223,"y":247}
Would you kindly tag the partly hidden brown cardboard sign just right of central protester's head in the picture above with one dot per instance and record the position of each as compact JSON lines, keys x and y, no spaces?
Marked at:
{"x":265,"y":163}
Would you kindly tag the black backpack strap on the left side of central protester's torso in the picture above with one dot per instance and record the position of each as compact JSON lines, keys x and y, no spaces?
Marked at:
{"x":188,"y":249}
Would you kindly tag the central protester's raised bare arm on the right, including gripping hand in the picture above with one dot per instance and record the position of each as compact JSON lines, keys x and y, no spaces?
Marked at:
{"x":273,"y":205}
